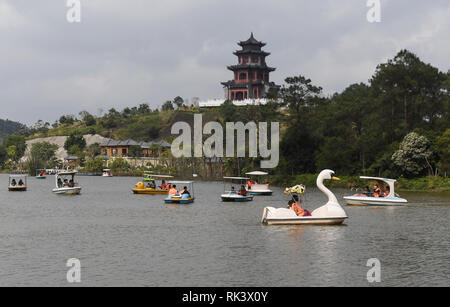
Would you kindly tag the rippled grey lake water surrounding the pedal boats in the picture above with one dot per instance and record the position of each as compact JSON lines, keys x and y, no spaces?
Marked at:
{"x":123,"y":239}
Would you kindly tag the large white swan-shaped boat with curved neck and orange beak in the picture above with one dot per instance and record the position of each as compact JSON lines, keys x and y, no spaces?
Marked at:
{"x":329,"y":214}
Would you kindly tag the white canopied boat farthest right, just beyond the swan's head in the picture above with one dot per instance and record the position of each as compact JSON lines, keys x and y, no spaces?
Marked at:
{"x":368,"y":199}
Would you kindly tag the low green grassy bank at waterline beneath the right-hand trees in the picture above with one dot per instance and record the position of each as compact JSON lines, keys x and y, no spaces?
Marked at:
{"x":435,"y":184}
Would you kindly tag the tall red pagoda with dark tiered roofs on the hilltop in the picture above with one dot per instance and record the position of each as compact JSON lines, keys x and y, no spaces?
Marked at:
{"x":251,"y":74}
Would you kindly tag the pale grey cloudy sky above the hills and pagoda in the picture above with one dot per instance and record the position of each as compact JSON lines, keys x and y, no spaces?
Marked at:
{"x":124,"y":53}
